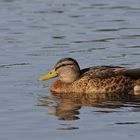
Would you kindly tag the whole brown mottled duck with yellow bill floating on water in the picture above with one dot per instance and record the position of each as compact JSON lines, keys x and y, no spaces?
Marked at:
{"x":92,"y":81}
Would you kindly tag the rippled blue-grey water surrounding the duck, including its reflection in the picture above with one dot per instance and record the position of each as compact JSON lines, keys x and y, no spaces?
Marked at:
{"x":34,"y":34}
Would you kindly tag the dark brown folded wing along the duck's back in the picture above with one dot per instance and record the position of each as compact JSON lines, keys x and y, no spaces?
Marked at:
{"x":103,"y":72}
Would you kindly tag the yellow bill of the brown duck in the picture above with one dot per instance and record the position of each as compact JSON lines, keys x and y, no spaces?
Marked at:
{"x":48,"y":76}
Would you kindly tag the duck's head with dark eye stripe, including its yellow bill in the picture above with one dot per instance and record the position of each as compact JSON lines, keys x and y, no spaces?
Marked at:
{"x":67,"y":69}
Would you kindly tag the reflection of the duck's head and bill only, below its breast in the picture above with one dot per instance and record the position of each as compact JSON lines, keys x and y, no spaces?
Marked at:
{"x":64,"y":109}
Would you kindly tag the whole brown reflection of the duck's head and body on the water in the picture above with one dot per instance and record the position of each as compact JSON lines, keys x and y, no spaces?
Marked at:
{"x":69,"y":108}
